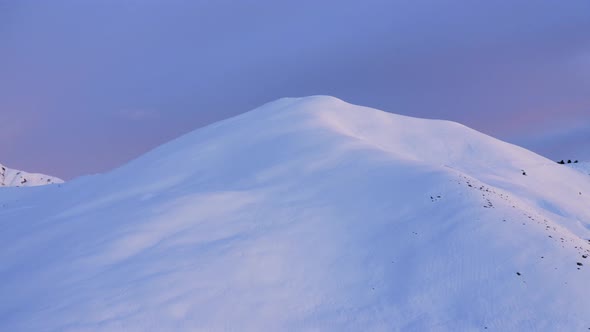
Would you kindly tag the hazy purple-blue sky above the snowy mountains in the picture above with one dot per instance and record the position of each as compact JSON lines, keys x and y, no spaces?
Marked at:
{"x":87,"y":85}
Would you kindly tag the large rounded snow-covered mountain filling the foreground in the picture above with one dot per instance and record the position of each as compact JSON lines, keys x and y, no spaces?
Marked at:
{"x":305,"y":214}
